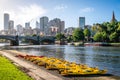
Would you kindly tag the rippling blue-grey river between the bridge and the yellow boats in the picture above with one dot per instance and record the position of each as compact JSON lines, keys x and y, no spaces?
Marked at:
{"x":103,"y":57}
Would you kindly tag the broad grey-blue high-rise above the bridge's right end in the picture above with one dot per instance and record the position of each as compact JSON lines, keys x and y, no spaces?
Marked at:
{"x":44,"y":23}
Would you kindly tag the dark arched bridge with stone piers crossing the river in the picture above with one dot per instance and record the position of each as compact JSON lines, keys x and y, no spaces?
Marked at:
{"x":35,"y":40}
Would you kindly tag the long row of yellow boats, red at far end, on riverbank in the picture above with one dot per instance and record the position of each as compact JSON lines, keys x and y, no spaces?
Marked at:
{"x":64,"y":67}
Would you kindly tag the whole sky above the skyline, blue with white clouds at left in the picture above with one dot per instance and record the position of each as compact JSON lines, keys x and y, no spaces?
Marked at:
{"x":95,"y":11}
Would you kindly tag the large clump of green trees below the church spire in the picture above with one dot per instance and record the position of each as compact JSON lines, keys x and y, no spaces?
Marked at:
{"x":106,"y":32}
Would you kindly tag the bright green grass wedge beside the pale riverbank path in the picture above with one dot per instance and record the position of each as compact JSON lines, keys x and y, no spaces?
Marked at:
{"x":8,"y":71}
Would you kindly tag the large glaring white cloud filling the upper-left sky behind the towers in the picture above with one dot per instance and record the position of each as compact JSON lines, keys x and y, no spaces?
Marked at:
{"x":18,"y":12}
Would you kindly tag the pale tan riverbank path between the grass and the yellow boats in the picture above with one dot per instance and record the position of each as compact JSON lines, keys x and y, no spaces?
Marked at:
{"x":40,"y":73}
